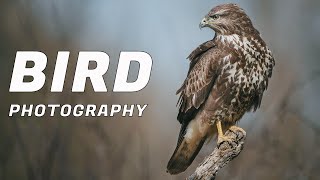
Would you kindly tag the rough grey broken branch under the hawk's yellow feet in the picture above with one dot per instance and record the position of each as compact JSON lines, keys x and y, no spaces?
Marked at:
{"x":220,"y":157}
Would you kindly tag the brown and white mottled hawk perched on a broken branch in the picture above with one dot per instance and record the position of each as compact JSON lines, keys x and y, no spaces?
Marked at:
{"x":227,"y":77}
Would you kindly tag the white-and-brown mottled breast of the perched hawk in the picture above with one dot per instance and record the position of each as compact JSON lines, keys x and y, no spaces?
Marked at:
{"x":247,"y":64}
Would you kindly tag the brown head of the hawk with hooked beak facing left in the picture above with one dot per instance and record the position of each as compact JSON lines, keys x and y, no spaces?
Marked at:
{"x":228,"y":19}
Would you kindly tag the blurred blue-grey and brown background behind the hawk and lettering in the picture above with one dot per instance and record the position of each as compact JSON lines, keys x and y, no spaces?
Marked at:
{"x":283,"y":136}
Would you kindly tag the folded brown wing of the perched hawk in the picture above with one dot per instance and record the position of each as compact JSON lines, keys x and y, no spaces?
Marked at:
{"x":198,"y":84}
